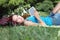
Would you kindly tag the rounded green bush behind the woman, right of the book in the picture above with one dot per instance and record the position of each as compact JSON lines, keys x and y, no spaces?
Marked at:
{"x":45,"y":6}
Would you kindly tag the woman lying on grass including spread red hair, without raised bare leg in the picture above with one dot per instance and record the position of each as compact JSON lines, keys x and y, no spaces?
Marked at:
{"x":35,"y":20}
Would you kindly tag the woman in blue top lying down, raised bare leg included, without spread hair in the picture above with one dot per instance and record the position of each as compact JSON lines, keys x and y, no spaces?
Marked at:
{"x":52,"y":19}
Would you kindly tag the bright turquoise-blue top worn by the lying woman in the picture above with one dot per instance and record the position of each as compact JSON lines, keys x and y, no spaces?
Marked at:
{"x":47,"y":20}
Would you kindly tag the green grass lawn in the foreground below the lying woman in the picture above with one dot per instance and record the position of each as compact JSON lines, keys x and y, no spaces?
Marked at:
{"x":29,"y":33}
